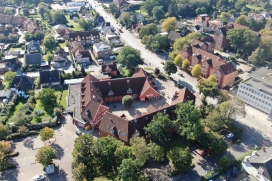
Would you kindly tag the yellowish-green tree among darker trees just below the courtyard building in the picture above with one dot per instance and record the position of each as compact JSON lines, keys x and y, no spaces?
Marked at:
{"x":139,"y":149}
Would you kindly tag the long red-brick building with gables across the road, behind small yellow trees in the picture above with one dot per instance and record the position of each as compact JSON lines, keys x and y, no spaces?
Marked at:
{"x":211,"y":64}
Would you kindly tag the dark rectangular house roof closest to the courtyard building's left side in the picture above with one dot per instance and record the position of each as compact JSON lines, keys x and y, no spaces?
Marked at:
{"x":49,"y":76}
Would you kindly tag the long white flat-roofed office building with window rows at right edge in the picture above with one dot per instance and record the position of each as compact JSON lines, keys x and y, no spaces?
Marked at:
{"x":256,"y":90}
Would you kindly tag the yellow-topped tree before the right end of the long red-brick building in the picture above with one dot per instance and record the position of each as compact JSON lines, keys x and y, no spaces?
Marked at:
{"x":208,"y":87}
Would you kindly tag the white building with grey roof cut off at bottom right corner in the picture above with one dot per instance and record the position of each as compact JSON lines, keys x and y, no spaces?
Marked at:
{"x":259,"y":164}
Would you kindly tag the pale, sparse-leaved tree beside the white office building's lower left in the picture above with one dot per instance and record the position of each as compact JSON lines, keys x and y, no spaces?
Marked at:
{"x":231,"y":108}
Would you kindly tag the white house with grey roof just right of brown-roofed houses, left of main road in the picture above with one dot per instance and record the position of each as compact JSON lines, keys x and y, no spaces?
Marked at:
{"x":102,"y":50}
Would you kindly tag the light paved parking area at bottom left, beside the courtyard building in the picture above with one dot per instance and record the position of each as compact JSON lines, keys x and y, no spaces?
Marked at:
{"x":28,"y":147}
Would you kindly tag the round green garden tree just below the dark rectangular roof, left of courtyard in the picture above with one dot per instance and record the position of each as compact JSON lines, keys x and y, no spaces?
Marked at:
{"x":47,"y":97}
